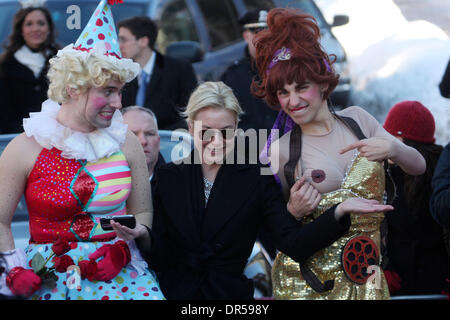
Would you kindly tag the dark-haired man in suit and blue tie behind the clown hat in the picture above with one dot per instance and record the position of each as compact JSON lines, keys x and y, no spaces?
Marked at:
{"x":164,"y":84}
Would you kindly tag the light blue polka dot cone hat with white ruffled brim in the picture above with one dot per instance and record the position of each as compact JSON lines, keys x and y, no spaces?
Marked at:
{"x":99,"y":38}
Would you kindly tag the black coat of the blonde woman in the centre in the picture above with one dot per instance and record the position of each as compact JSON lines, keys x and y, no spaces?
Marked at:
{"x":200,"y":253}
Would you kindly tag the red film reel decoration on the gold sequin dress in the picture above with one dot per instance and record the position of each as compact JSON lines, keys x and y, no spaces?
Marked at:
{"x":358,"y":254}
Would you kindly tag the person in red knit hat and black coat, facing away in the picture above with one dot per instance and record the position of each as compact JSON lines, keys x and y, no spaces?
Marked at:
{"x":415,"y":261}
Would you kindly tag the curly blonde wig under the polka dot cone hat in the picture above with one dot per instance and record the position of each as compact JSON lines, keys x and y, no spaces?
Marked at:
{"x":78,"y":73}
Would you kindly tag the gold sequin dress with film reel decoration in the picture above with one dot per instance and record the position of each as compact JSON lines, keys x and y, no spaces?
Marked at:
{"x":364,"y":179}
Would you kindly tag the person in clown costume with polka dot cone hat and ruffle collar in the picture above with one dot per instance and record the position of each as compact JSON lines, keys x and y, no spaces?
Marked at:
{"x":75,"y":163}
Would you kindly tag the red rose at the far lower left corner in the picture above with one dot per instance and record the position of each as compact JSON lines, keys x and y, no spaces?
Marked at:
{"x":23,"y":282}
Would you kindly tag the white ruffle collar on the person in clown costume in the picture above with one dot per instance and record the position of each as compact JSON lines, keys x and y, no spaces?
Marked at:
{"x":92,"y":146}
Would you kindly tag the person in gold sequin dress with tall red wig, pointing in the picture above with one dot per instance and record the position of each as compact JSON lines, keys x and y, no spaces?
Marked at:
{"x":326,"y":158}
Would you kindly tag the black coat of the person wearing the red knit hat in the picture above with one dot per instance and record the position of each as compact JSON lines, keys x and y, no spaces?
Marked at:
{"x":415,"y":248}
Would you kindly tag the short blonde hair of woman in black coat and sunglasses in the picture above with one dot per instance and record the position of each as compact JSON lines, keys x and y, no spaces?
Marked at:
{"x":212,"y":94}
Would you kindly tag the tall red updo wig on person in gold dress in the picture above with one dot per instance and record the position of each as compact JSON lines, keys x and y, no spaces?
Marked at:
{"x":290,"y":28}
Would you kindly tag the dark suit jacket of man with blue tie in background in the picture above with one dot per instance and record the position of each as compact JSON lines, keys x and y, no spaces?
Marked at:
{"x":171,"y":84}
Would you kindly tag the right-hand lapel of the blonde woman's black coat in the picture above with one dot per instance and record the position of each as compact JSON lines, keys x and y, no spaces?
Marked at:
{"x":231,"y":190}
